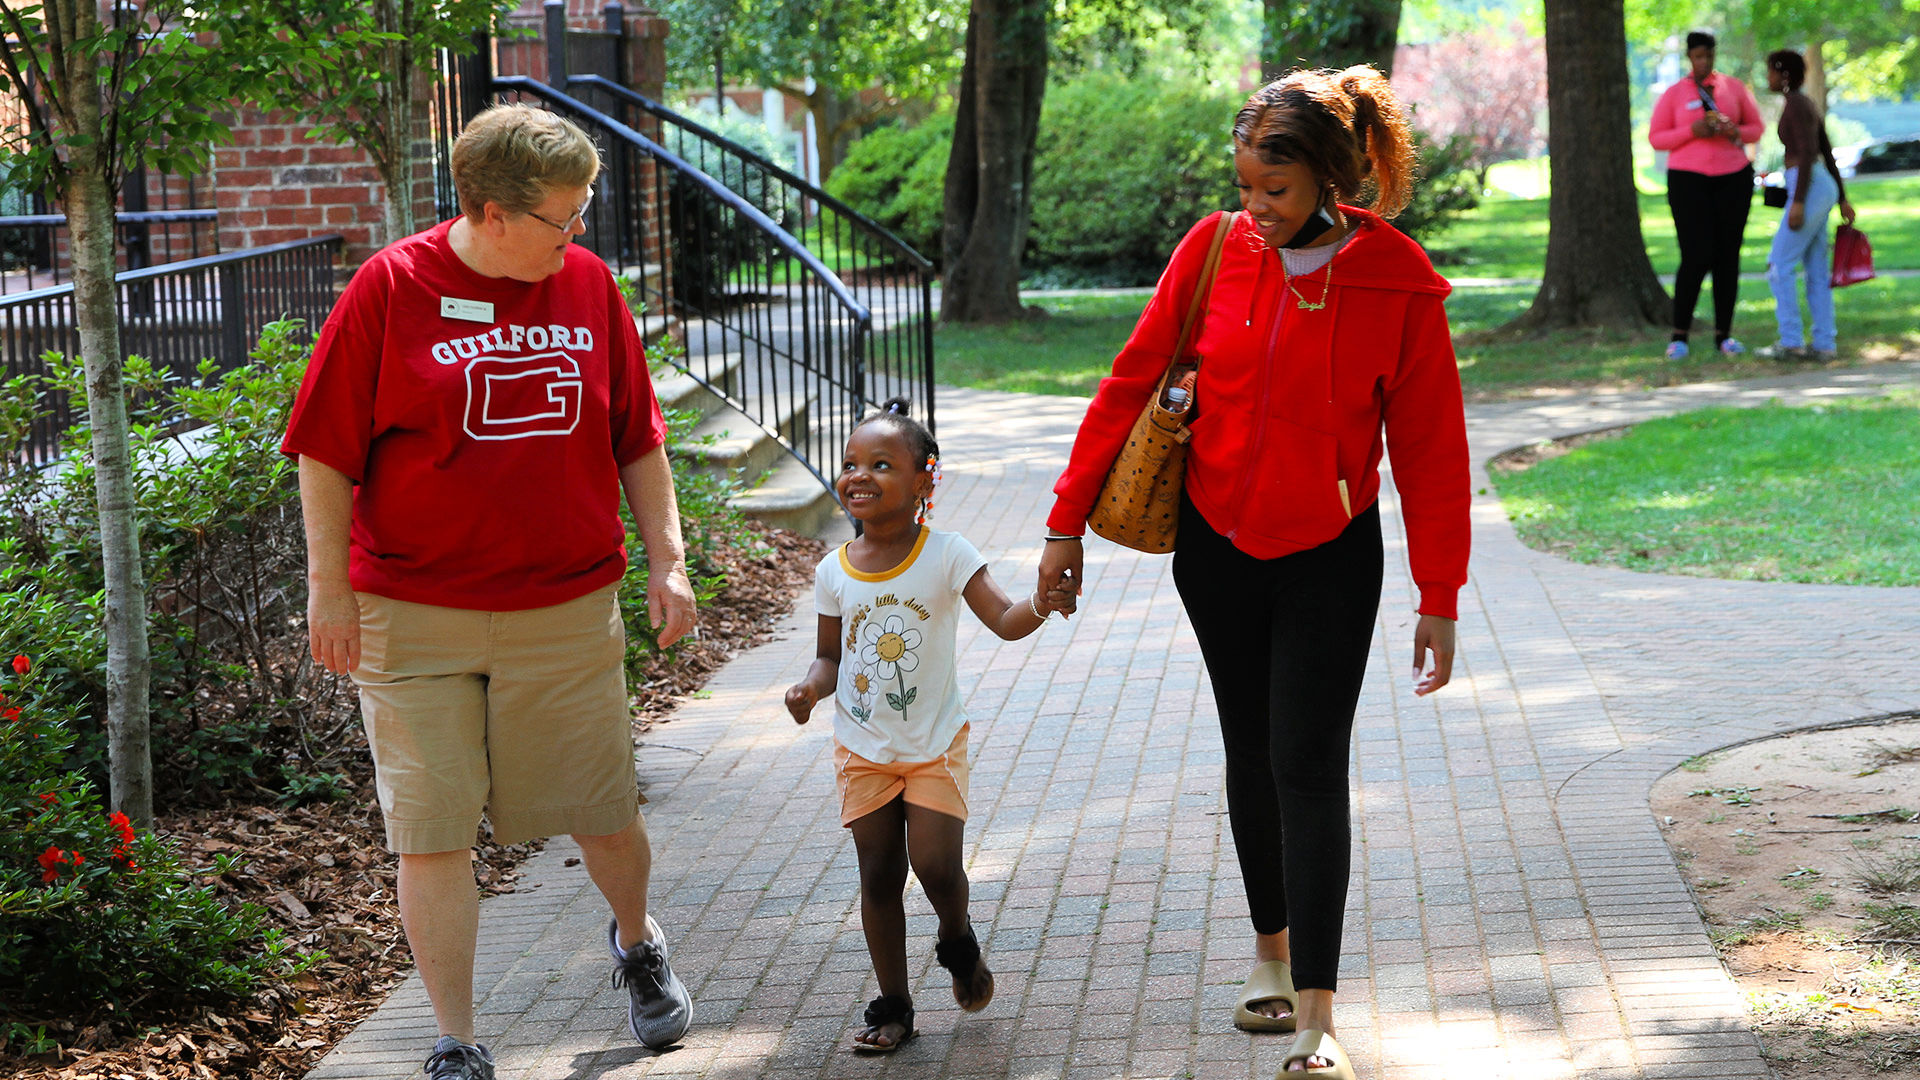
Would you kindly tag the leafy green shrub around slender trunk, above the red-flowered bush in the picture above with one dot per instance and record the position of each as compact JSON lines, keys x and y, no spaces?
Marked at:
{"x":226,"y":564}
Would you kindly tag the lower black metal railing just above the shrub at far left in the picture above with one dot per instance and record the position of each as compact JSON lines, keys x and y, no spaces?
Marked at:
{"x":174,"y":316}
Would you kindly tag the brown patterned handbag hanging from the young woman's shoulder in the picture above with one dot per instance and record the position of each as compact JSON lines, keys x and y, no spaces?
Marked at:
{"x":1140,"y":501}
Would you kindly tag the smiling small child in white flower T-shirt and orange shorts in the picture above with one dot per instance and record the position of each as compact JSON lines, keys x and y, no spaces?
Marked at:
{"x":890,"y":602}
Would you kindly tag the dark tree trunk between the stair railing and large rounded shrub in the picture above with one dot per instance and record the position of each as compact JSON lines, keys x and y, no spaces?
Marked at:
{"x":990,"y":172}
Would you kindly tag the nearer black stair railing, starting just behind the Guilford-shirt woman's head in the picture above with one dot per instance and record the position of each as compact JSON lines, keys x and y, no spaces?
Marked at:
{"x":767,"y":326}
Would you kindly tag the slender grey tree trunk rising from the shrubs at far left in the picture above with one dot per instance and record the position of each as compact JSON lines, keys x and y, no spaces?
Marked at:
{"x":97,"y":312}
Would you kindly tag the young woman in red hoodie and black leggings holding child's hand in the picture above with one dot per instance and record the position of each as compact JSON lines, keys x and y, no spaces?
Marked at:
{"x":1324,"y":328}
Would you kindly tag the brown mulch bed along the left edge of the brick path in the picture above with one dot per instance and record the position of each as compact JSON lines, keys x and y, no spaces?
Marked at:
{"x":327,"y":881}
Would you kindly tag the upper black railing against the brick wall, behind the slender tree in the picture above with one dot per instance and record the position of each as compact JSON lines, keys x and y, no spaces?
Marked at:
{"x":36,"y":247}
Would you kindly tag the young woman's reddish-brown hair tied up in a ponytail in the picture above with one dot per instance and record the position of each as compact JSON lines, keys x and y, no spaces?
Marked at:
{"x":1345,"y":126}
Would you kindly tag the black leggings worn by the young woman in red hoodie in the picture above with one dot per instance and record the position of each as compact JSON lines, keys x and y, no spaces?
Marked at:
{"x":1285,"y":643}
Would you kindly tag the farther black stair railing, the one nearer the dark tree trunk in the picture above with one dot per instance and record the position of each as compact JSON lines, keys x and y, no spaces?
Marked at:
{"x":886,"y":274}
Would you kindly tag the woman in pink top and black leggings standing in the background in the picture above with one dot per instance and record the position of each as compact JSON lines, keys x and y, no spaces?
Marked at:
{"x":1704,"y":124}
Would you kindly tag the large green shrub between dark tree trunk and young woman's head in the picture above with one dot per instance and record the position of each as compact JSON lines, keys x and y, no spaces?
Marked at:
{"x":1122,"y":172}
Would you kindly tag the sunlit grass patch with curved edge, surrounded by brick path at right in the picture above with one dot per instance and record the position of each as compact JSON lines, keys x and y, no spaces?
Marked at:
{"x":1812,"y":495}
